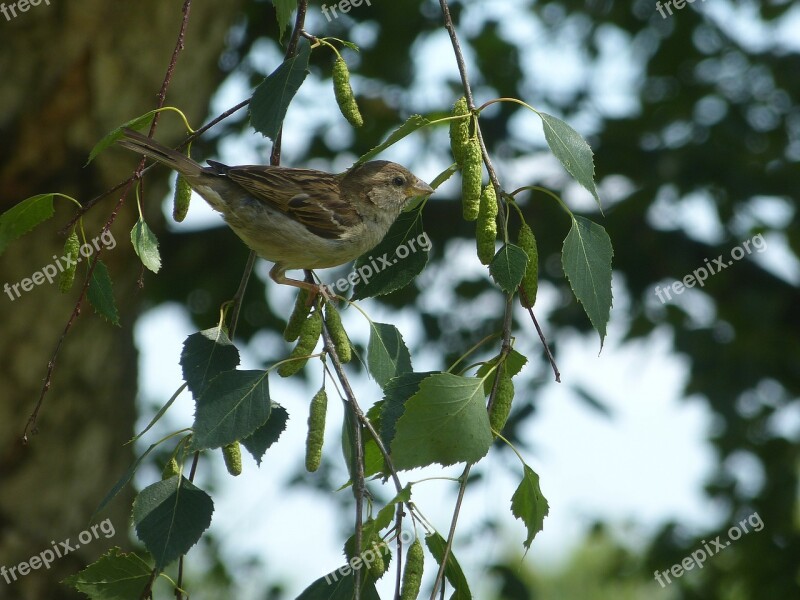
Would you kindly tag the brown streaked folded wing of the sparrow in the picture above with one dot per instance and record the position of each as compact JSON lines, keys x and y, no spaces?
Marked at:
{"x":310,"y":197}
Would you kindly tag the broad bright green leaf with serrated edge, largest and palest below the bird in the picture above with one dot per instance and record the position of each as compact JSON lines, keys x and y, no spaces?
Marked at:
{"x":445,"y":422}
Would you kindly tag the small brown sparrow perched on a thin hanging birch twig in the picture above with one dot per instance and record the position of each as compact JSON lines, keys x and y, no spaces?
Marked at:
{"x":296,"y":218}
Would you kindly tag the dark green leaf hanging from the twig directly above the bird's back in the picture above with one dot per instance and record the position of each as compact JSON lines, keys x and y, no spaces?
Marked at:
{"x":272,"y":97}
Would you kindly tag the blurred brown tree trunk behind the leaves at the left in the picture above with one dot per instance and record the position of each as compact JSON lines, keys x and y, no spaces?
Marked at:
{"x":71,"y":73}
